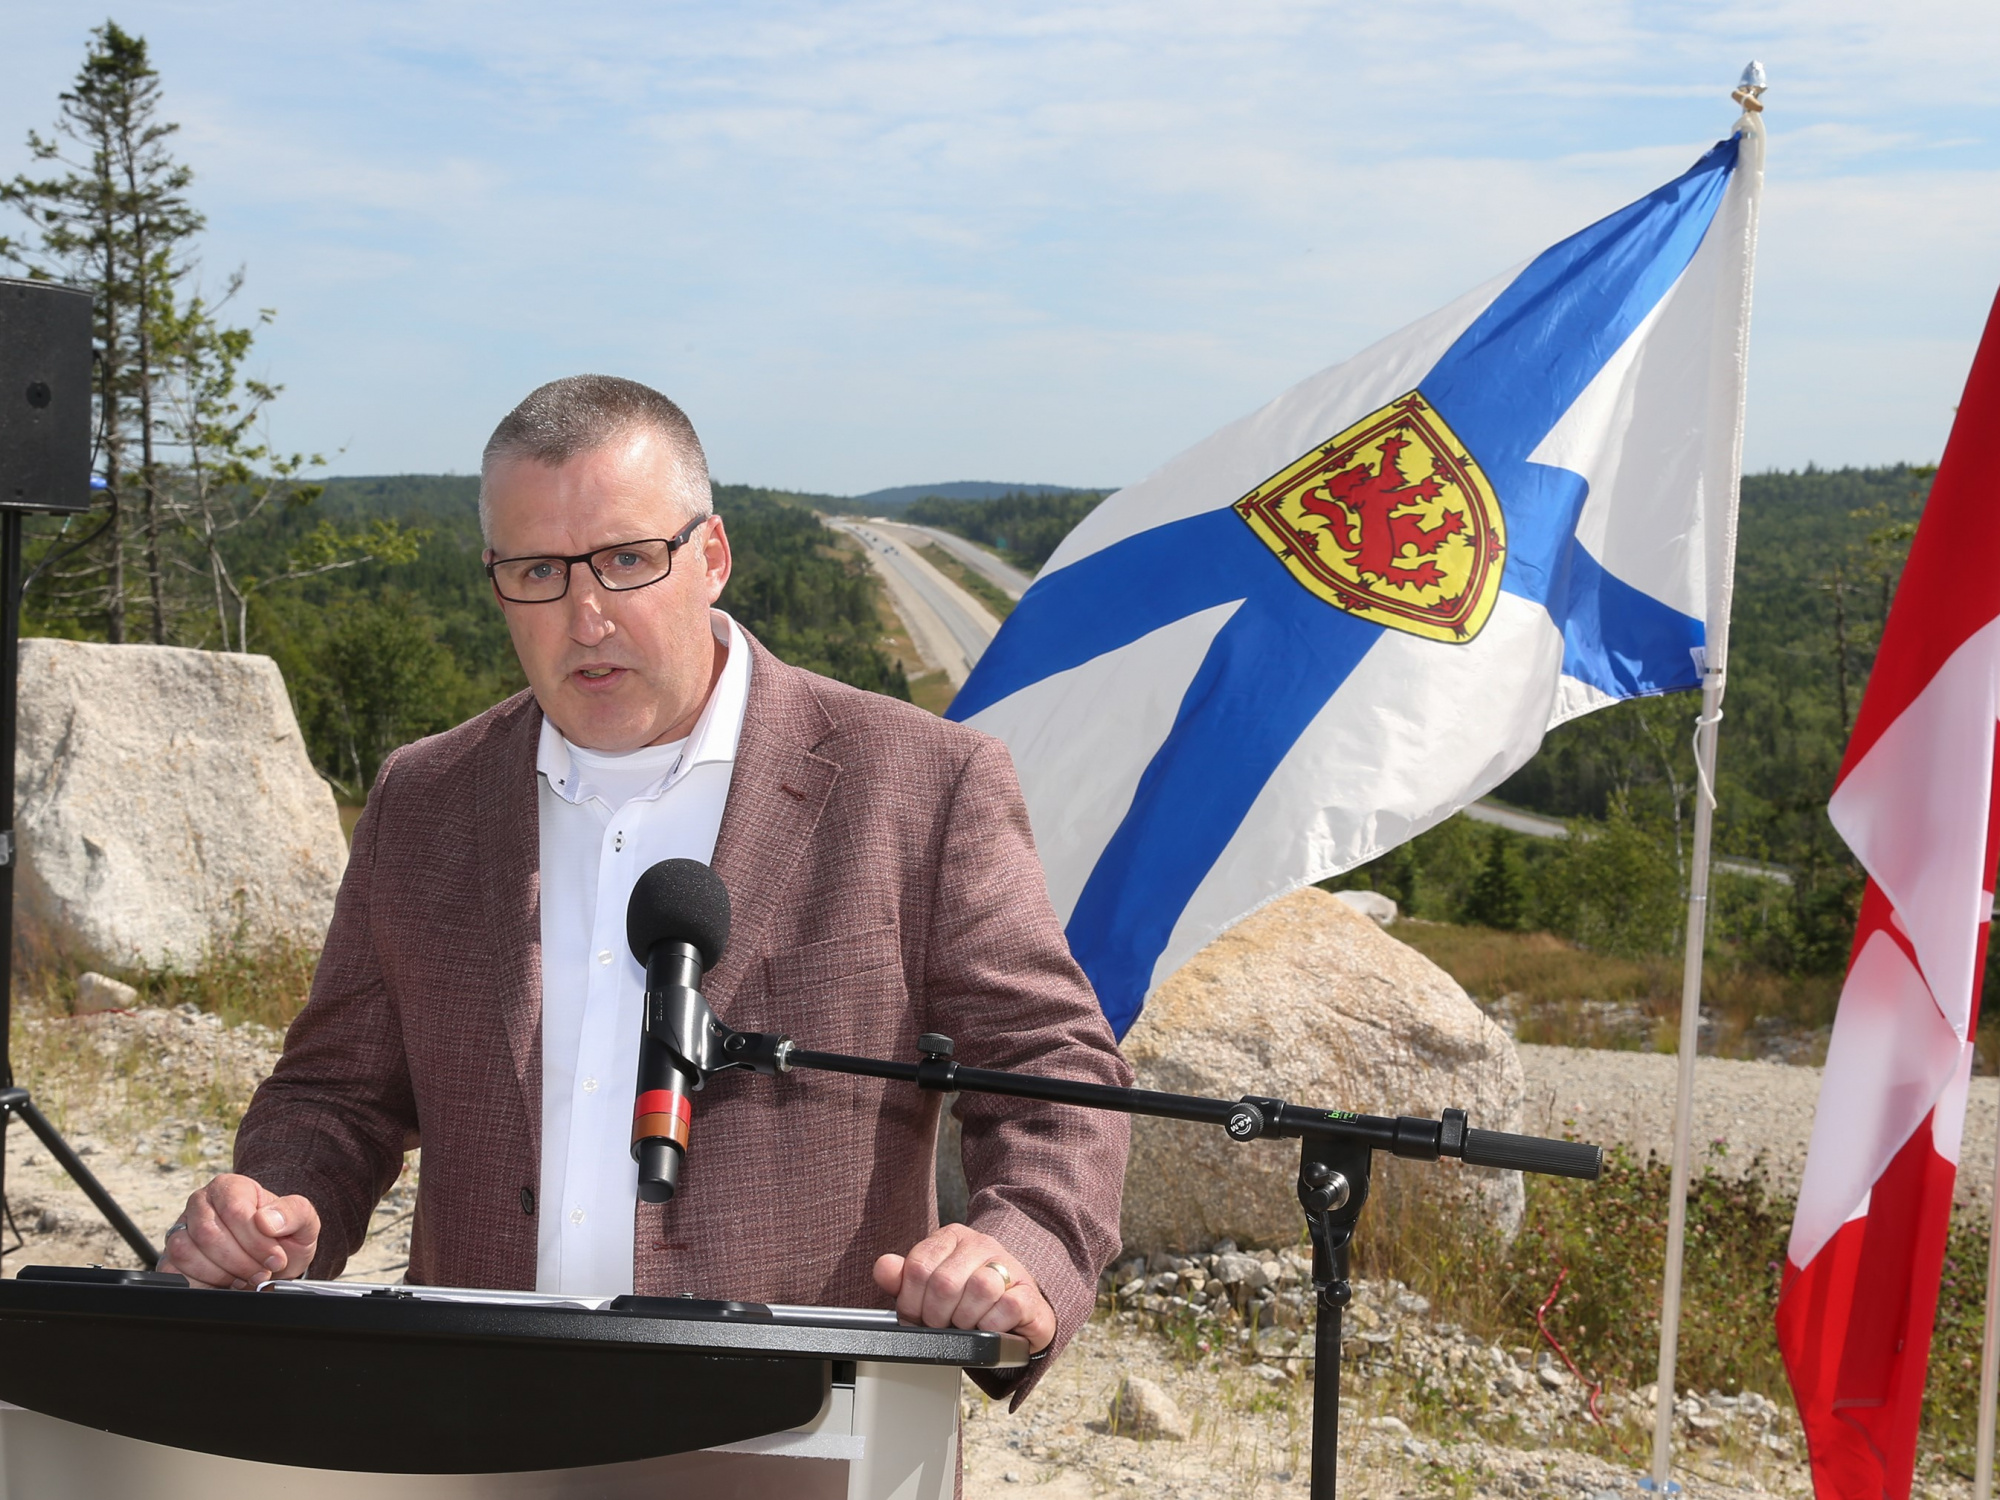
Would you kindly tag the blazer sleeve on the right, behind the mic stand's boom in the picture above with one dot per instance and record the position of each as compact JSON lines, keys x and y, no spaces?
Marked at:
{"x":1045,"y":1179}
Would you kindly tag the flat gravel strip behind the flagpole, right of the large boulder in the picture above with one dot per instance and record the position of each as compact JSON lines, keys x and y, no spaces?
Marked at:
{"x":1751,"y":1109}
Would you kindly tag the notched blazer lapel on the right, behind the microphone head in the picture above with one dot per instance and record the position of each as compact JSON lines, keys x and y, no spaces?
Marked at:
{"x":779,"y":789}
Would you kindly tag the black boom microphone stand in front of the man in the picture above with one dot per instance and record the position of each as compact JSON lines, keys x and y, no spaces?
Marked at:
{"x":1337,"y":1151}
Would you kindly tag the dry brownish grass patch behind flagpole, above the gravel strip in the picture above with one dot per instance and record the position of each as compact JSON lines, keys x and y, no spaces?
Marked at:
{"x":1563,"y":995}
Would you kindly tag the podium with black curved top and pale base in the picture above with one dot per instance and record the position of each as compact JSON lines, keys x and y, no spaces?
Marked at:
{"x":135,"y":1385}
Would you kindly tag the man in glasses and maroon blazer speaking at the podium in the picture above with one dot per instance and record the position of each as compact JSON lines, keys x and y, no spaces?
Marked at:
{"x":477,"y":995}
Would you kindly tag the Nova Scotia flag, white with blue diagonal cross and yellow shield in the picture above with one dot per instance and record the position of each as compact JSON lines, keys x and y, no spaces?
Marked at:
{"x":1341,"y":619}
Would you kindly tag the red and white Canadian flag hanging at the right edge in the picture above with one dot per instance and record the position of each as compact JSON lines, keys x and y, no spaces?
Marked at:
{"x":1915,"y":803}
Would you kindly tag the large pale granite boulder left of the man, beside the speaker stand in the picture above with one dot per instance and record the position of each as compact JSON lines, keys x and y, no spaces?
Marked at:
{"x":167,"y":807}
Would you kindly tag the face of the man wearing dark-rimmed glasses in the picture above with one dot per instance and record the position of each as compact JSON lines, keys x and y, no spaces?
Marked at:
{"x":613,"y":669}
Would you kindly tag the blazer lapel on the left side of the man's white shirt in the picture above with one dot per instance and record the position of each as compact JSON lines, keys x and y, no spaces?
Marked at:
{"x":511,"y":875}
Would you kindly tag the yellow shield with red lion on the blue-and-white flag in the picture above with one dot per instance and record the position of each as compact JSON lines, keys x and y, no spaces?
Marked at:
{"x":1391,"y":521}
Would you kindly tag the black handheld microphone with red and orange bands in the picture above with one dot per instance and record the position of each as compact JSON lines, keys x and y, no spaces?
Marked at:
{"x":679,"y":927}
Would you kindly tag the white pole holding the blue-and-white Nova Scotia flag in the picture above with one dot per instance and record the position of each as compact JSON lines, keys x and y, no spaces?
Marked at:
{"x":1751,"y":163}
